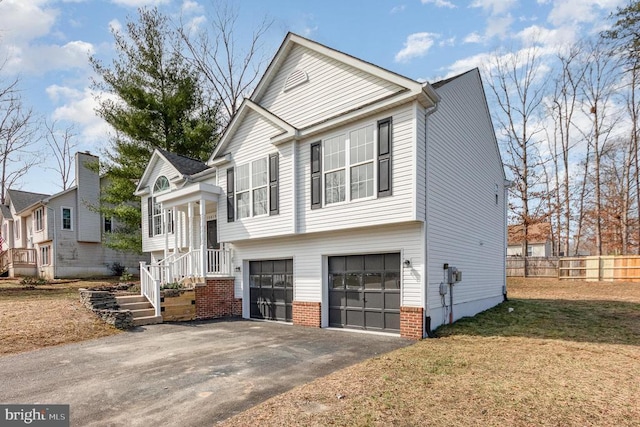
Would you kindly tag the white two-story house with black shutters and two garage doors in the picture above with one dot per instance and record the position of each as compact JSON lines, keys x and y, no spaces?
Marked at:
{"x":336,"y":197}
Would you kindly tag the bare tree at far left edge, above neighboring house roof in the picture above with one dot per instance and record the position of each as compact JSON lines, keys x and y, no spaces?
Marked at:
{"x":18,"y":136}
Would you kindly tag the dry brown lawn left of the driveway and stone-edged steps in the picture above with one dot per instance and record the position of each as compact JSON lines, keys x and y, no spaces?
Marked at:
{"x":45,"y":316}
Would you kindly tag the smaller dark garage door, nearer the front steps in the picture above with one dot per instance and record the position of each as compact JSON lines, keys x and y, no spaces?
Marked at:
{"x":271,"y":289}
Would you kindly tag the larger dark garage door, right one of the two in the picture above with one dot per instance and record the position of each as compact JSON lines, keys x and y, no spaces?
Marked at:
{"x":364,"y":292}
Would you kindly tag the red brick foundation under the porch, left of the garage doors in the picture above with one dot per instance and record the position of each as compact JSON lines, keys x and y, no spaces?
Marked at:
{"x":216,"y":299}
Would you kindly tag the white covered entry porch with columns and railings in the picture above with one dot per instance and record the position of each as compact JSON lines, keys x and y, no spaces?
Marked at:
{"x":191,"y":252}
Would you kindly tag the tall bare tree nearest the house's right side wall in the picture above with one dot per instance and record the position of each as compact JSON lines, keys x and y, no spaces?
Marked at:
{"x":516,"y":81}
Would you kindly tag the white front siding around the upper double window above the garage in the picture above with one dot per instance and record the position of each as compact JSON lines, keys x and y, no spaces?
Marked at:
{"x":370,"y":210}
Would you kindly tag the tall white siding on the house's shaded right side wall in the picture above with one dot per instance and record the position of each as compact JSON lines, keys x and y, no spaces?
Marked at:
{"x":466,"y":228}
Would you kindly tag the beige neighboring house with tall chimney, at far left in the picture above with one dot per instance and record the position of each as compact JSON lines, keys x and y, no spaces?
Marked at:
{"x":60,"y":235}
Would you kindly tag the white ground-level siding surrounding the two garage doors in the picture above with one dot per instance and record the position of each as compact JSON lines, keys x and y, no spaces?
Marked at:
{"x":309,"y":255}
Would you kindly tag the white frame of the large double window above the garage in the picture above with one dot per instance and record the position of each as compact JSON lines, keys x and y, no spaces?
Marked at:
{"x":348,"y":165}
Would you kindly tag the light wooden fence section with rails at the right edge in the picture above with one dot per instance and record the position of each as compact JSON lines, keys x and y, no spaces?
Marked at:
{"x":624,"y":268}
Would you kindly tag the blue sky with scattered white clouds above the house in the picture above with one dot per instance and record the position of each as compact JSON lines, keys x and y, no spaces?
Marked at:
{"x":47,"y":42}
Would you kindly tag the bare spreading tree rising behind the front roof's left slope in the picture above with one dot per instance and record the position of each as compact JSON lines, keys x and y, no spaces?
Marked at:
{"x":228,"y":71}
